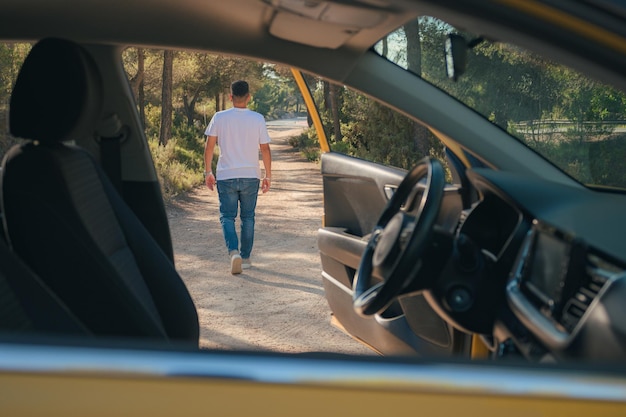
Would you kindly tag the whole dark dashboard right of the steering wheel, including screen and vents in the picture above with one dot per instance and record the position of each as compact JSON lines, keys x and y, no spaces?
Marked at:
{"x":552,"y":275}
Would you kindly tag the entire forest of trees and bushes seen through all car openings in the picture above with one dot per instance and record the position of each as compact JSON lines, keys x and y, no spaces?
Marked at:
{"x":571,"y":120}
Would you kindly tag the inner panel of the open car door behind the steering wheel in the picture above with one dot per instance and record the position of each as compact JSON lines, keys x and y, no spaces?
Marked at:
{"x":355,"y":193}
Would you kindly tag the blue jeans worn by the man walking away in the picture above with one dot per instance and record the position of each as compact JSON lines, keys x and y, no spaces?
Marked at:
{"x":234,"y":194}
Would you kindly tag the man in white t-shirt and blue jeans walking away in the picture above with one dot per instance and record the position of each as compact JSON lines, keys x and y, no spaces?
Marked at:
{"x":239,"y":132}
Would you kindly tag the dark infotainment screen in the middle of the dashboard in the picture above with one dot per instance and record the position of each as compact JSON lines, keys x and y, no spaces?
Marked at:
{"x":548,"y":264}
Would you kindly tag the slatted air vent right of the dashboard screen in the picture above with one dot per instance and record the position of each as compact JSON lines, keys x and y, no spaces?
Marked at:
{"x":598,"y":273}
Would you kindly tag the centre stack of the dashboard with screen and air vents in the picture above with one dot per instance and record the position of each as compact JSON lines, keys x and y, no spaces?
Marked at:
{"x":567,"y":296}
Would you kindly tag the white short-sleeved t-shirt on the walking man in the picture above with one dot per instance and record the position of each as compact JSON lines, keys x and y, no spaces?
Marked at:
{"x":239,"y":133}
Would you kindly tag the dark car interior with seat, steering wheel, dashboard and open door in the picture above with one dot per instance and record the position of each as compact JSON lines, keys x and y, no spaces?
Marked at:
{"x":493,"y":245}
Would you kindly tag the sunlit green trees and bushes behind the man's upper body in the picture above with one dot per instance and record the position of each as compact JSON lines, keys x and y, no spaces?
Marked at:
{"x":201,"y":85}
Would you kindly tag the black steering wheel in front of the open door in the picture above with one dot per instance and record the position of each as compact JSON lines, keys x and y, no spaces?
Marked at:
{"x":399,"y":239}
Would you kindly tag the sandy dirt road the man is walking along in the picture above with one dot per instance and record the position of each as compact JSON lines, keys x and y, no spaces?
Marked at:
{"x":278,"y":304}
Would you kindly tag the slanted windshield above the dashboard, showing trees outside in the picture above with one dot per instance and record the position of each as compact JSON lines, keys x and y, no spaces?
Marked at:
{"x":577,"y":123}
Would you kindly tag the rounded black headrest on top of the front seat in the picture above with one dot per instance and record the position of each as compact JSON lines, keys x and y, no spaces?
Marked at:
{"x":58,"y":93}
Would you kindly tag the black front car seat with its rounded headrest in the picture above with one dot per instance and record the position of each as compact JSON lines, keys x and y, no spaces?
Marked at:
{"x":66,"y":221}
